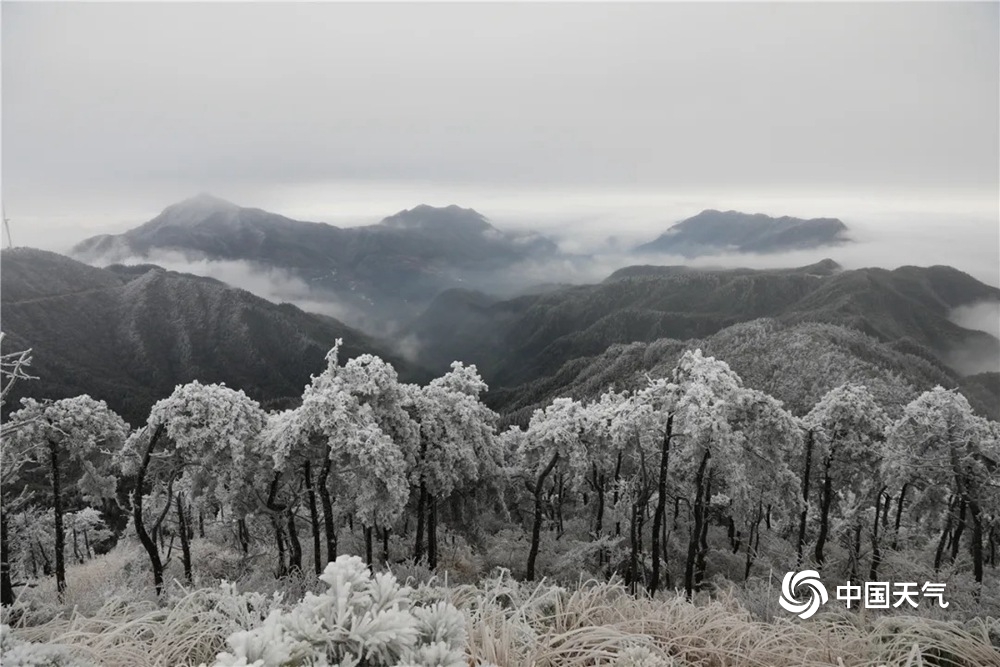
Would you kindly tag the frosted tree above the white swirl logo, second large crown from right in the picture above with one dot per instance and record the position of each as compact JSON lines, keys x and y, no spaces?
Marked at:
{"x":847,"y":428}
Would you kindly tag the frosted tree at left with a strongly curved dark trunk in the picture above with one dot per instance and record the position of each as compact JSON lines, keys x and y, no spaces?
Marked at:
{"x":199,"y":443}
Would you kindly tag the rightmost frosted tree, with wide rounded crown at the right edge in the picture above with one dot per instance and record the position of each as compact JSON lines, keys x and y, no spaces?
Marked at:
{"x":950,"y":459}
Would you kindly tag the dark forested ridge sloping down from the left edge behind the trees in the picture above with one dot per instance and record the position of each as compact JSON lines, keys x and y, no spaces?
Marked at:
{"x":128,"y":335}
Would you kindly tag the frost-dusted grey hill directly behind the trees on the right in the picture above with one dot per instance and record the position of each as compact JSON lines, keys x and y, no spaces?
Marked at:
{"x":795,"y":363}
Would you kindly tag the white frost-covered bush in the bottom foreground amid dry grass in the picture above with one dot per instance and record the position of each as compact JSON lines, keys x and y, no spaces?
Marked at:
{"x":359,"y":620}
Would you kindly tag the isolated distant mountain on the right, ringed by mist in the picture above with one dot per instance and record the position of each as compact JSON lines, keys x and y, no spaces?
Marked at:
{"x":711,"y":232}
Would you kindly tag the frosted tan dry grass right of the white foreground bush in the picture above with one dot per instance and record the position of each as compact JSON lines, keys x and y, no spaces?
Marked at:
{"x":596,"y":623}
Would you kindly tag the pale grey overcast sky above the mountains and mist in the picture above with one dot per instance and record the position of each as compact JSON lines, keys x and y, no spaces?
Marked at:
{"x":351,"y":112}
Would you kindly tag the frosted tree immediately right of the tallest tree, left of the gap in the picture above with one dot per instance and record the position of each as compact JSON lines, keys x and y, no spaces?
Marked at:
{"x":457,"y":445}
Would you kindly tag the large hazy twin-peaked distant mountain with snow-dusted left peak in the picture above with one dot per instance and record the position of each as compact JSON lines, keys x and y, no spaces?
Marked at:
{"x":386,"y":270}
